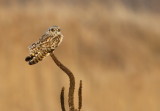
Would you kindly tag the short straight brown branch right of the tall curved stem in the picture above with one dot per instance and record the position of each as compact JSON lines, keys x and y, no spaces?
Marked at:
{"x":80,"y":96}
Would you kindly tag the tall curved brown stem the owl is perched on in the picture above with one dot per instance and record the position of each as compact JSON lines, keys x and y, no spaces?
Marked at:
{"x":72,"y":81}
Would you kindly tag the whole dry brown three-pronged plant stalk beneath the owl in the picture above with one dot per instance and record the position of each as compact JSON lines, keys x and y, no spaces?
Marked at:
{"x":71,"y":87}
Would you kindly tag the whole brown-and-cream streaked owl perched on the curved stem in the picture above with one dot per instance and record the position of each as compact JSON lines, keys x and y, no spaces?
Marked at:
{"x":46,"y":44}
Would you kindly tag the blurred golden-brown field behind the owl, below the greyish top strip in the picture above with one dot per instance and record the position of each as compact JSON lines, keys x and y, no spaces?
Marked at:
{"x":114,"y":50}
